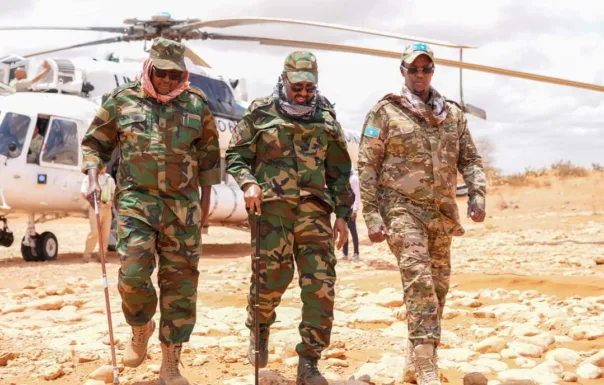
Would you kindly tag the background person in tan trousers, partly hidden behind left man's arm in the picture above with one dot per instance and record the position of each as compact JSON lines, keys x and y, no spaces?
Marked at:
{"x":107,"y":185}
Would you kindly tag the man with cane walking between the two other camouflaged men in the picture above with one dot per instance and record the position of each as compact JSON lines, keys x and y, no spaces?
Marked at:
{"x":289,"y":155}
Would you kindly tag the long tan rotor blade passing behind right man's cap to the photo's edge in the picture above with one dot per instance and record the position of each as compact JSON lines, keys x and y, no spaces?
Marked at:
{"x":396,"y":55}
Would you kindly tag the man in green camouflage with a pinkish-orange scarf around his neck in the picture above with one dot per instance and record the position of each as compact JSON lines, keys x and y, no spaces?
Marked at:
{"x":168,"y":145}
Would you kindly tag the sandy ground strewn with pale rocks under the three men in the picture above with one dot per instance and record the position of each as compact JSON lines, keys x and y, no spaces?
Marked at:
{"x":526,"y":303}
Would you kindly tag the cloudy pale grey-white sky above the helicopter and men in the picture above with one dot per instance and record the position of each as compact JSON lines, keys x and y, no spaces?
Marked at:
{"x":531,"y":124}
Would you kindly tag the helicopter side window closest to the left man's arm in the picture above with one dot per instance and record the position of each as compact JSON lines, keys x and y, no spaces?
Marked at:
{"x":62,"y":143}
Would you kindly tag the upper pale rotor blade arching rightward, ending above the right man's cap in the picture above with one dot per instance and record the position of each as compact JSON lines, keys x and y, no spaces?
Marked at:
{"x":224,"y":23}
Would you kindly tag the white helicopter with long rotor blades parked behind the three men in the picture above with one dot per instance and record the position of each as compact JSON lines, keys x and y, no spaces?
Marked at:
{"x":71,"y":118}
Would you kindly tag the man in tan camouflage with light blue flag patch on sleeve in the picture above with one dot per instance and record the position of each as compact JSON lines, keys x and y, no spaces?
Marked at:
{"x":411,"y":148}
